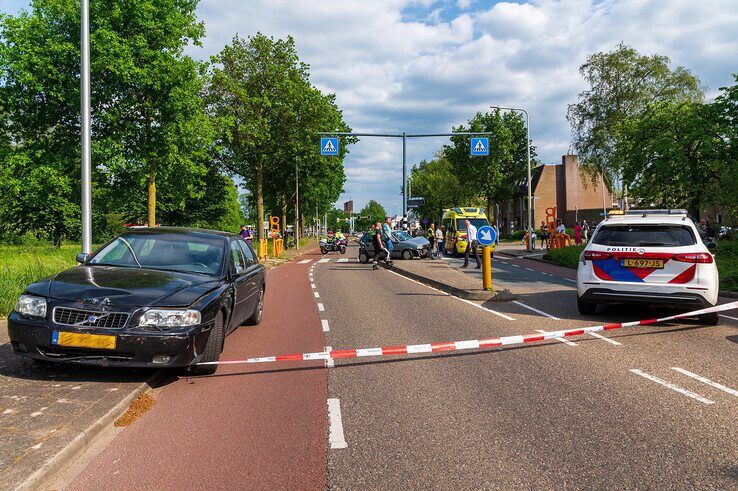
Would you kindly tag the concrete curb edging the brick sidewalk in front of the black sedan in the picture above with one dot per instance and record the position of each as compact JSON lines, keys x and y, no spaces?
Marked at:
{"x":56,"y":465}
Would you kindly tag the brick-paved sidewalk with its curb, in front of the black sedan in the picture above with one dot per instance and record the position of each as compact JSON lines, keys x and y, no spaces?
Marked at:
{"x":49,"y":414}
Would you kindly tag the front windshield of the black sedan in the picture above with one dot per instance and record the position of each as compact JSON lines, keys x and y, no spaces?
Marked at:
{"x":174,"y":252}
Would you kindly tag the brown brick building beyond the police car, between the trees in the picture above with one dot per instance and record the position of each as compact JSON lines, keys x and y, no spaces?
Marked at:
{"x":563,"y":186}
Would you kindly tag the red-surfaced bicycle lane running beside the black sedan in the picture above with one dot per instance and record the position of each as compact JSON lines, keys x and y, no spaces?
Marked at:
{"x":245,"y":426}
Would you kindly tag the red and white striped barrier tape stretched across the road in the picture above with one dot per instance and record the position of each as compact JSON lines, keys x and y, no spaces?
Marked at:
{"x":465,"y":345}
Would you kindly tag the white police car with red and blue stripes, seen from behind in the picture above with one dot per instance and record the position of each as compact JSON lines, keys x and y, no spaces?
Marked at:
{"x":653,"y":257}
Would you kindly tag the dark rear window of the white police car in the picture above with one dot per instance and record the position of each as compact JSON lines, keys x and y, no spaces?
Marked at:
{"x":644,"y":236}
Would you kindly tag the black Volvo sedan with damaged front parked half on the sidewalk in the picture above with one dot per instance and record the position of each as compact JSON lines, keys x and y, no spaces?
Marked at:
{"x":154,"y":297}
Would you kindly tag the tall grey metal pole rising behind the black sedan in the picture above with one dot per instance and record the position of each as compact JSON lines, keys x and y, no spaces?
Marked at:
{"x":85,"y":107}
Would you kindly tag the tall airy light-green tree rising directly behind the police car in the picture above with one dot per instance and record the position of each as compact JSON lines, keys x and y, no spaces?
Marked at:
{"x":622,"y":83}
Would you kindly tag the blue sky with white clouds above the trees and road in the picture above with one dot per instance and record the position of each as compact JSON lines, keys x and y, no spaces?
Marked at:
{"x":424,"y":65}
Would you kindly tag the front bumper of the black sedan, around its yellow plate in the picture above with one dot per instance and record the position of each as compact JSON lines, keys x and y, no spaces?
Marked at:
{"x":135,"y":347}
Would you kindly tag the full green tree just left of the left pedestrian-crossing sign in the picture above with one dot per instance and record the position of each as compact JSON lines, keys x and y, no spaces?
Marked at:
{"x":267,"y":117}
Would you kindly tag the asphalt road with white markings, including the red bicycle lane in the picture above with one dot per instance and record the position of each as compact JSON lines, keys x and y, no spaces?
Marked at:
{"x":619,"y":411}
